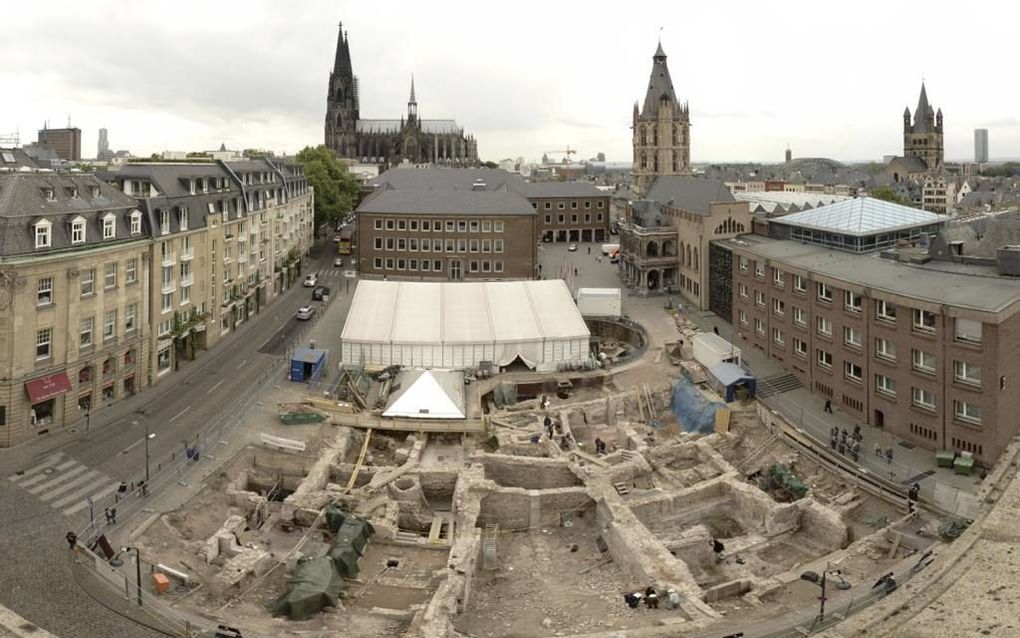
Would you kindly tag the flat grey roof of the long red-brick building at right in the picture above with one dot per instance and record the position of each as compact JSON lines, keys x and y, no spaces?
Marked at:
{"x":972,"y":287}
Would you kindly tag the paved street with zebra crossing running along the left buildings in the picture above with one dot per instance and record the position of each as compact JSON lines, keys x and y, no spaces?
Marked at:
{"x":48,"y":481}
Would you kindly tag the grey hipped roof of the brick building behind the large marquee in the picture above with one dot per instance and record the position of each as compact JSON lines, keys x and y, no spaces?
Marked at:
{"x":465,"y":203}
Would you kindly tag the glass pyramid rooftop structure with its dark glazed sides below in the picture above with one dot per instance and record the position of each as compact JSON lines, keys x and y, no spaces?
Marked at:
{"x":862,"y":225}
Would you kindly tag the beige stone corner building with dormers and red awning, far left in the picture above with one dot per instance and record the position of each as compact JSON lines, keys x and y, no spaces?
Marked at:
{"x":74,"y":267}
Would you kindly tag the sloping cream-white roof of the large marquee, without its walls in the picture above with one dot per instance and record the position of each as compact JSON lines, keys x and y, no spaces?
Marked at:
{"x":463,"y":313}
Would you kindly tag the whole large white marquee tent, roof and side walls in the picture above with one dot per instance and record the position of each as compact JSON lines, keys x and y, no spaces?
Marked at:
{"x":457,"y":325}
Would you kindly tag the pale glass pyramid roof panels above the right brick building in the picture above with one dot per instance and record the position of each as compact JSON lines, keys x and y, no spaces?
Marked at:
{"x":861,"y":217}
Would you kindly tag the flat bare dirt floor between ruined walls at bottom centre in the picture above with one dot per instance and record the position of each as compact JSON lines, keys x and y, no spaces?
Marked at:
{"x":539,"y":591}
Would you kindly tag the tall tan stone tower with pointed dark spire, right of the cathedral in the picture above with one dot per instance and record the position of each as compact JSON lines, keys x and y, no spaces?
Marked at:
{"x":661,"y":129}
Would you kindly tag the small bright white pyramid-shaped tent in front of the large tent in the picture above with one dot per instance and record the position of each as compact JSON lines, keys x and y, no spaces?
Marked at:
{"x":424,"y":397}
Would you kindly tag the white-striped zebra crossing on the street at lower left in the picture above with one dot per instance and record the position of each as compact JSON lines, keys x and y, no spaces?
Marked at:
{"x":65,"y":484}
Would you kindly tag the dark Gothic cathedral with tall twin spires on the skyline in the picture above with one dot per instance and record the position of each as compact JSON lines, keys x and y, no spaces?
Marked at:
{"x":388,"y":142}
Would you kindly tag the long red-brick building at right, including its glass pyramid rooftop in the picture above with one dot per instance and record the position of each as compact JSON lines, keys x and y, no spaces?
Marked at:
{"x":927,"y":350}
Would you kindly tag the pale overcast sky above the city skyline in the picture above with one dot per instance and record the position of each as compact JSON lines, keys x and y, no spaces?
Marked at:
{"x":524,"y":77}
